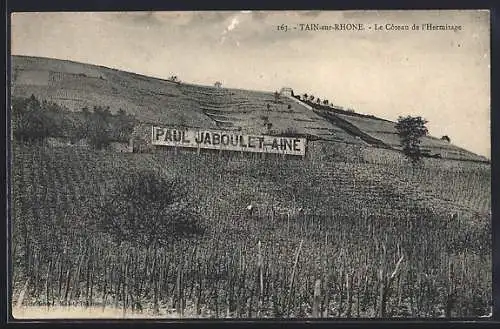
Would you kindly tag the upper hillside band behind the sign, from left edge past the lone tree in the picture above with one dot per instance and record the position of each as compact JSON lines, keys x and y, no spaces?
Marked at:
{"x":156,"y":101}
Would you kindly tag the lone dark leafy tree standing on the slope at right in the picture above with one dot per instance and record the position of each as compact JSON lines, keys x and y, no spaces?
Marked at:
{"x":411,"y":130}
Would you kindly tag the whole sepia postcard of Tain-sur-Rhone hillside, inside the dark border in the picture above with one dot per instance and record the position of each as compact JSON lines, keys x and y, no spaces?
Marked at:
{"x":251,"y":164}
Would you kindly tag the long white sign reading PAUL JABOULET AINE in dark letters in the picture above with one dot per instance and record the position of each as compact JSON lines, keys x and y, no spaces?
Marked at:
{"x":225,"y":140}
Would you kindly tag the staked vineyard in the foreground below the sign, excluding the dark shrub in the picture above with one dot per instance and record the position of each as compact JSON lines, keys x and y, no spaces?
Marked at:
{"x":325,"y":236}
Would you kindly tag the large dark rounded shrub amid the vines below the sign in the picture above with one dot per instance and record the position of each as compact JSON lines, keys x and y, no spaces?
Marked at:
{"x":148,"y":208}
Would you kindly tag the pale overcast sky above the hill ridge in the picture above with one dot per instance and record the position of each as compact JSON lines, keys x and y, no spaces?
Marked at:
{"x":443,"y":76}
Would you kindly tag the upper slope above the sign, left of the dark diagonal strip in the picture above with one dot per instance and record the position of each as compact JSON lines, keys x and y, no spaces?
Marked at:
{"x":152,"y":100}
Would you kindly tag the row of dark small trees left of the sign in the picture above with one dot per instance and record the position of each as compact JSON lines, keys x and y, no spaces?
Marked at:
{"x":35,"y":120}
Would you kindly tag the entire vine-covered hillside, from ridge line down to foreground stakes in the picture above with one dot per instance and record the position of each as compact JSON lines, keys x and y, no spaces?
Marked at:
{"x":238,"y":235}
